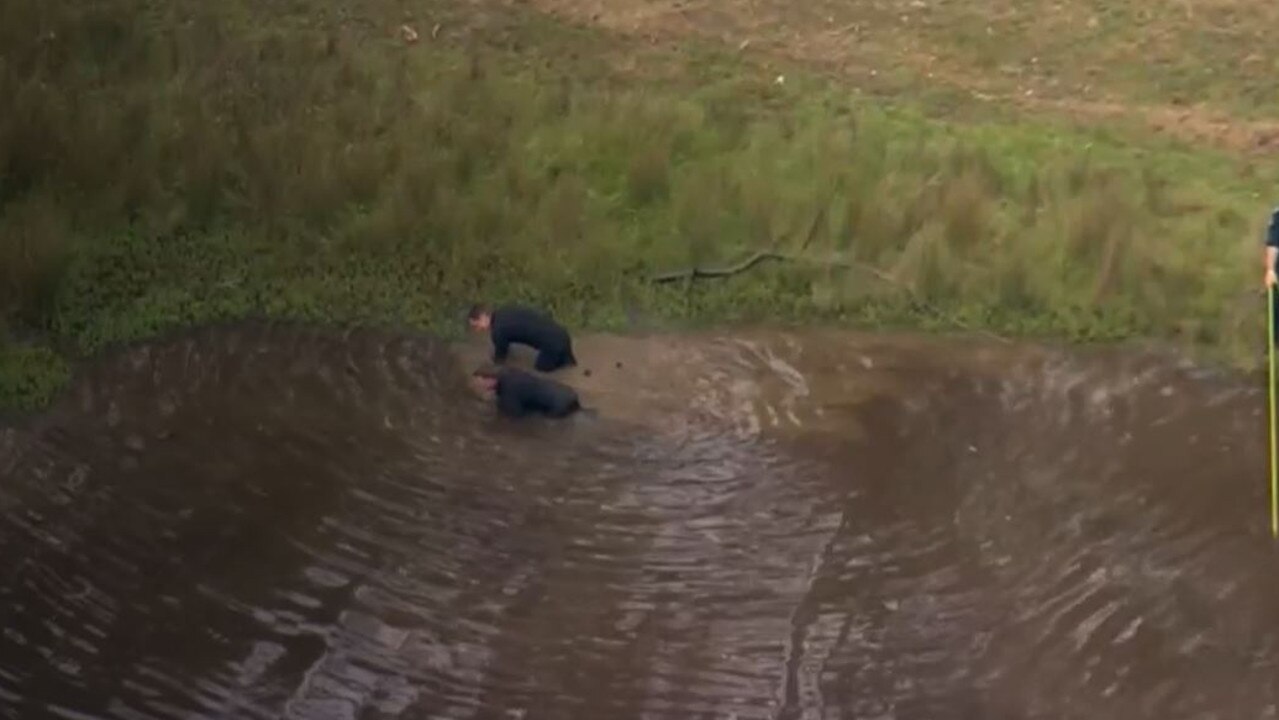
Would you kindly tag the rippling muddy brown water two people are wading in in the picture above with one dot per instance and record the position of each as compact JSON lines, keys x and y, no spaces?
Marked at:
{"x":282,"y":522}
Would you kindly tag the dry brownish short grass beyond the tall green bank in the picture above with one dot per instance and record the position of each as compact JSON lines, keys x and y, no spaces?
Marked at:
{"x":1199,"y":71}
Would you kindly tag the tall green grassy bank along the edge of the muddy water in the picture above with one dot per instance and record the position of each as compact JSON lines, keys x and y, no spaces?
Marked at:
{"x":195,"y":162}
